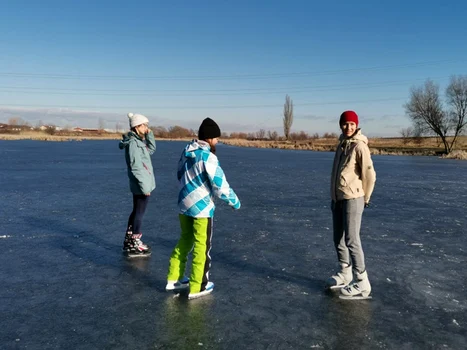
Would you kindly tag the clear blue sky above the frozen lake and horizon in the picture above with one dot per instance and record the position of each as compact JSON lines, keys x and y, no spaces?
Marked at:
{"x":77,"y":62}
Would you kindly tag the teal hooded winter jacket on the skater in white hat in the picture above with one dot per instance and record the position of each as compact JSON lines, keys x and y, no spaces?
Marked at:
{"x":138,"y":159}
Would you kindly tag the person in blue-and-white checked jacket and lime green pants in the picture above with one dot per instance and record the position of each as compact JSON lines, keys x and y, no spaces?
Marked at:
{"x":201,"y":179}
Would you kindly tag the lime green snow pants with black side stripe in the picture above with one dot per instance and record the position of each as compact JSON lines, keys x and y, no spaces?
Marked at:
{"x":196,"y":235}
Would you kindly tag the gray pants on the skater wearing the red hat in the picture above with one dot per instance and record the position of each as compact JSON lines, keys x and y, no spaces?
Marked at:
{"x":347,"y":219}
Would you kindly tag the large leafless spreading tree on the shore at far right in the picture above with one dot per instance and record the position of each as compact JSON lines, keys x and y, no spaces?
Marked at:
{"x":428,"y":116}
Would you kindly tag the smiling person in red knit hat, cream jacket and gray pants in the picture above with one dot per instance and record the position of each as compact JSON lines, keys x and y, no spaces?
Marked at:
{"x":352,"y":182}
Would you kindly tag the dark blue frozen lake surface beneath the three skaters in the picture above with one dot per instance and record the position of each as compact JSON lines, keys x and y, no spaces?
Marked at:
{"x":66,"y":285}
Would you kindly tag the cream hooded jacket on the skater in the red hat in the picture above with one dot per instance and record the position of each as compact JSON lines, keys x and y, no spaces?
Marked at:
{"x":353,"y":175}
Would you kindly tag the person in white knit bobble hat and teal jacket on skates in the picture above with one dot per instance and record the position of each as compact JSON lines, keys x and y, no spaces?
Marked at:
{"x":139,"y":144}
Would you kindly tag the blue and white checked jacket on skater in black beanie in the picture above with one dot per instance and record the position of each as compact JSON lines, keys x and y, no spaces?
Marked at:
{"x":201,"y":178}
